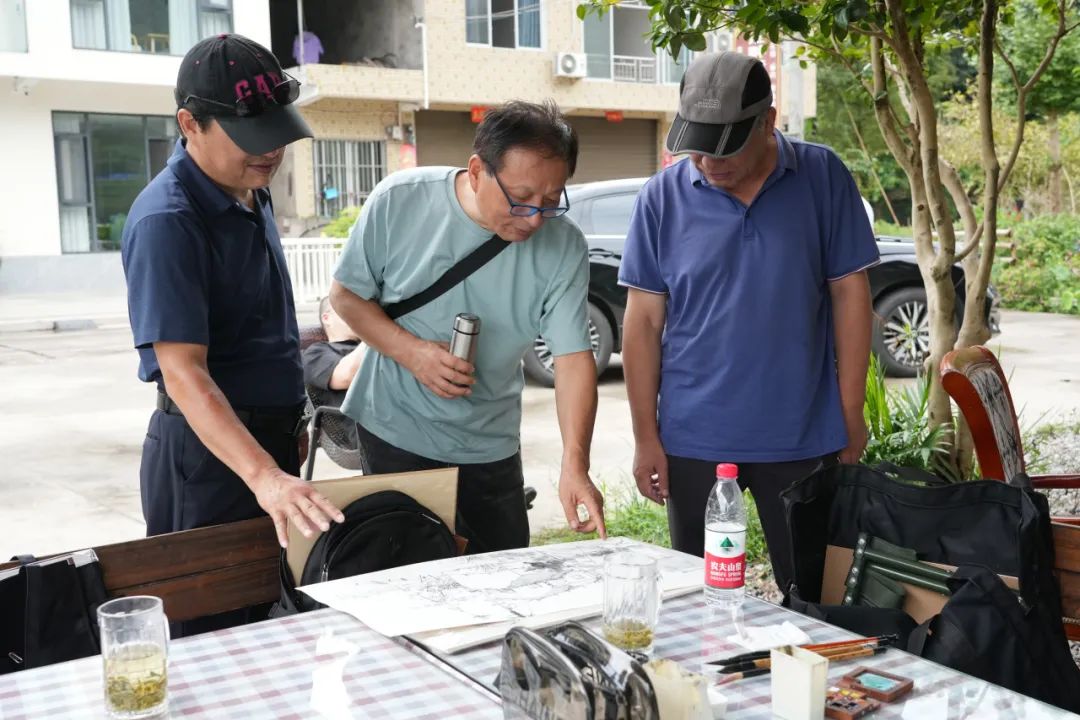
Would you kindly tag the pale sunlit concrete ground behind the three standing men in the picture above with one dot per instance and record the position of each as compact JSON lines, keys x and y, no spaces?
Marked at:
{"x":73,"y":417}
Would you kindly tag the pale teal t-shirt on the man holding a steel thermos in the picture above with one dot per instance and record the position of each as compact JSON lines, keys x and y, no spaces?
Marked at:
{"x":410,"y":233}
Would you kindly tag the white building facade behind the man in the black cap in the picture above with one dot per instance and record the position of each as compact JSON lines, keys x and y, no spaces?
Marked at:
{"x":87,"y":115}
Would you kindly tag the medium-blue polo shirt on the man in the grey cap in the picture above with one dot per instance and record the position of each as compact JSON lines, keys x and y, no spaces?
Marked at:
{"x":748,"y":357}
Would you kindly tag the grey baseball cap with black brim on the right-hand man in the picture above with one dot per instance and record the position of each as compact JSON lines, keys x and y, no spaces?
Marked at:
{"x":720,"y":98}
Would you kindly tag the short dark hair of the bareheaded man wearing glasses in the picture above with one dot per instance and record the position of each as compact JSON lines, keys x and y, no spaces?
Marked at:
{"x":519,"y":125}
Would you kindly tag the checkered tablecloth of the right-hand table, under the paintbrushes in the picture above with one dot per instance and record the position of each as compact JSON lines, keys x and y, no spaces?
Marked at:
{"x":690,"y":633}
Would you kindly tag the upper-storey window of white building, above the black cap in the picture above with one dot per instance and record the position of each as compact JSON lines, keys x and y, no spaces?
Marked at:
{"x":160,"y":28}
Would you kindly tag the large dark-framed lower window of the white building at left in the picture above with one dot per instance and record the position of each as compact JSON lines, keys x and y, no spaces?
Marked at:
{"x":103,"y":162}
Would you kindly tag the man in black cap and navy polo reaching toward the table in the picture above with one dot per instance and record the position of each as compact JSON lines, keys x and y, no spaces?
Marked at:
{"x":211,"y":305}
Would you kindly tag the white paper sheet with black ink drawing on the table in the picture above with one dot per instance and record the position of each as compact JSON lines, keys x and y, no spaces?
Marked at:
{"x":494,"y":588}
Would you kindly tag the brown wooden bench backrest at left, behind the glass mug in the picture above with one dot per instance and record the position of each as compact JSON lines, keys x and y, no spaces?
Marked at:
{"x":197,"y":573}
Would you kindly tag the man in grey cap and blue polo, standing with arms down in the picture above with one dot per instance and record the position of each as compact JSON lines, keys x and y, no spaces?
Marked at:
{"x":748,"y":325}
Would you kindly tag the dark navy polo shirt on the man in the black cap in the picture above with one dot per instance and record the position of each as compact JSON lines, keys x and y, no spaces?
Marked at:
{"x":205,"y":269}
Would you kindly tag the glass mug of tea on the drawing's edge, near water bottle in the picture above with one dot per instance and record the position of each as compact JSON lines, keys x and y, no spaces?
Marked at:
{"x":631,"y":602}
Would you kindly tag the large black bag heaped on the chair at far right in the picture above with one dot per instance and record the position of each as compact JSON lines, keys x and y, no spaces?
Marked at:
{"x":985,"y":528}
